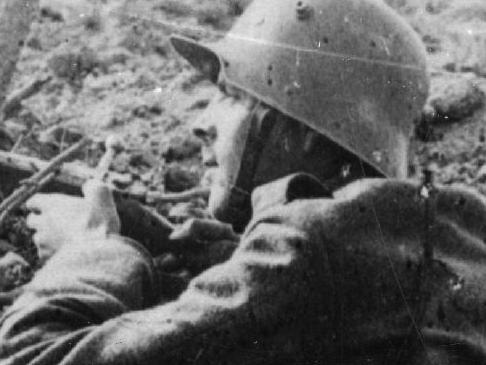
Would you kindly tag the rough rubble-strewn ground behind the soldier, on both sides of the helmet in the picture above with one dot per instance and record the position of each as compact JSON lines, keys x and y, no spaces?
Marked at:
{"x":105,"y":66}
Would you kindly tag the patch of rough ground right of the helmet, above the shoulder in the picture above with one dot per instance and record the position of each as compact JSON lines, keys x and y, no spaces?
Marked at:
{"x":454,"y":32}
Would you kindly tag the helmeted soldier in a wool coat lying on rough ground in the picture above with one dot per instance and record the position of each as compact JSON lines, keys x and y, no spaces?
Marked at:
{"x":315,"y":94}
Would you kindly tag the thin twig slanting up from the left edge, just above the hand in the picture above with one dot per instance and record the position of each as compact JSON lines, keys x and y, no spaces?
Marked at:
{"x":37,"y":181}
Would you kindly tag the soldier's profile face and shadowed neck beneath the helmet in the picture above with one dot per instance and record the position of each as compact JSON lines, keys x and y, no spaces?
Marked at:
{"x":228,"y":131}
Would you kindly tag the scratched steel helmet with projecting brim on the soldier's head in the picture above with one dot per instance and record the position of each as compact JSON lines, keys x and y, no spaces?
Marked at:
{"x":353,"y":70}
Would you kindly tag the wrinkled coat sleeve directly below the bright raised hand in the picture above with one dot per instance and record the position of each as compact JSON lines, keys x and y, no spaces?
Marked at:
{"x":85,"y":284}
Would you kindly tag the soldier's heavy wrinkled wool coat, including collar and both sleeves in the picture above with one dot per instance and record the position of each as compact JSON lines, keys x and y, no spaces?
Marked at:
{"x":381,"y":272}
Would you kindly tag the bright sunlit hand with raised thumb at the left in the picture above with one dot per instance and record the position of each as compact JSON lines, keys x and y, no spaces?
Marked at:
{"x":59,"y":219}
